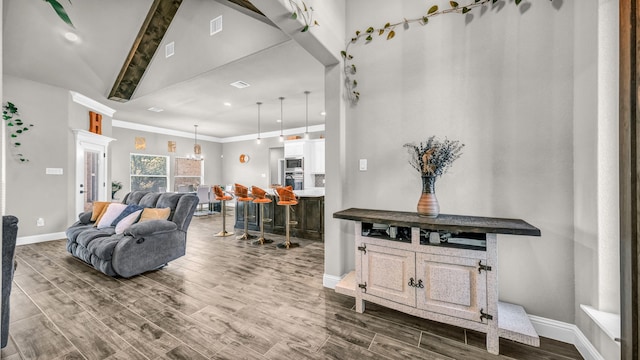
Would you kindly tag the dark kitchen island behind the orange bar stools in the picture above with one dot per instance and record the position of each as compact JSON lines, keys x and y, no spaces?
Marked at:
{"x":309,"y":214}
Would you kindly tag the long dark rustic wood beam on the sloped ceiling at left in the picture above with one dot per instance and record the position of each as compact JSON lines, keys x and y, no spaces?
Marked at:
{"x":144,"y":47}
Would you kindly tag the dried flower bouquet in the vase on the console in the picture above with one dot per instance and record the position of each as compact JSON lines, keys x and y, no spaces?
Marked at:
{"x":434,"y":157}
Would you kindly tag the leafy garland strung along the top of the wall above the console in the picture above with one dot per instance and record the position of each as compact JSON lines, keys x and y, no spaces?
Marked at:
{"x":388,"y":29}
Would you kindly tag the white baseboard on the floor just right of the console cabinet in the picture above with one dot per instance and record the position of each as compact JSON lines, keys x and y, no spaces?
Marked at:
{"x":565,"y":332}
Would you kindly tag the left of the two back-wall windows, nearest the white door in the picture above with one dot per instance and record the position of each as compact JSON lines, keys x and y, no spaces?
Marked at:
{"x":149,"y":172}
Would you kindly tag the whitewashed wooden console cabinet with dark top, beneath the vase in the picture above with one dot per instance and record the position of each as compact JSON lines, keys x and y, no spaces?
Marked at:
{"x":442,"y":269}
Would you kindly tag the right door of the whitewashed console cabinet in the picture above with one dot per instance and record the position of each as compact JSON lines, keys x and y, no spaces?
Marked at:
{"x":452,"y":286}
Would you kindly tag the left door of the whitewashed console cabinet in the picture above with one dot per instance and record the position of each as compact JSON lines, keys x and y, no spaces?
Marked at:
{"x":387,"y":272}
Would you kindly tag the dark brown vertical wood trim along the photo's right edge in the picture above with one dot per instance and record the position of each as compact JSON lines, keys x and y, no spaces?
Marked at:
{"x":629,"y":185}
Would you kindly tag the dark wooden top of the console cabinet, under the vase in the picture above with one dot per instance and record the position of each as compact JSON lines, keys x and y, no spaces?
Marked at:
{"x":444,"y":222}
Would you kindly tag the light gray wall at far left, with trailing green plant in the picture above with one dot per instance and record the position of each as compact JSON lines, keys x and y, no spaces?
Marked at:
{"x":45,"y":107}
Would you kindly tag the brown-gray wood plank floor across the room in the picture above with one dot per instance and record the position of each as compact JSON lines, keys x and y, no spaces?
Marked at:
{"x":226,"y":299}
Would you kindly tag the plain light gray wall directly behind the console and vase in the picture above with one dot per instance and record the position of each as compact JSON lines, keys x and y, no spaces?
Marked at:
{"x":502,"y":84}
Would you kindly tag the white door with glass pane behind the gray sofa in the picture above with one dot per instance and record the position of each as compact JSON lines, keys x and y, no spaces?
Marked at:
{"x":91,"y":169}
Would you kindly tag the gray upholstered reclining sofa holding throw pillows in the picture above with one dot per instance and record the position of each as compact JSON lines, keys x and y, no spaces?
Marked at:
{"x":143,"y":246}
